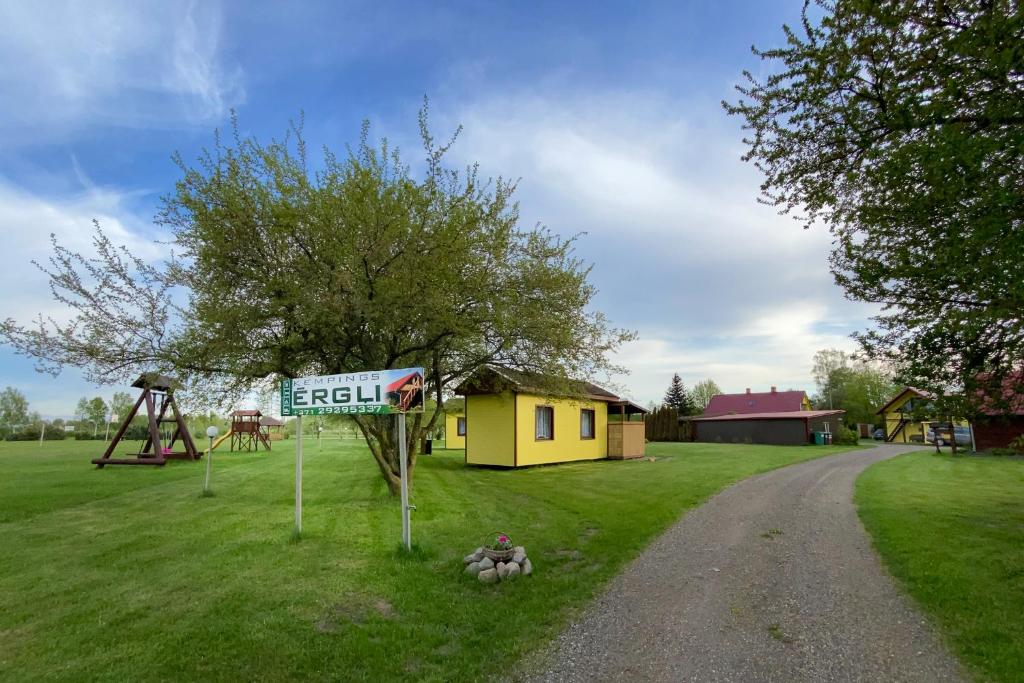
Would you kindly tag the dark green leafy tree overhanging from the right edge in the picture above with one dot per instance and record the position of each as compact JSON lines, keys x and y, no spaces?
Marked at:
{"x":900,"y":125}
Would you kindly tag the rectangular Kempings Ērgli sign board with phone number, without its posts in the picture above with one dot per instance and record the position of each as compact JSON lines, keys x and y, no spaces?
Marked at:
{"x":376,"y":393}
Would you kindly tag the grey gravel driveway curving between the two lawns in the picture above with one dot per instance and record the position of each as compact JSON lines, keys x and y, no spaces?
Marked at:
{"x":773,"y":580}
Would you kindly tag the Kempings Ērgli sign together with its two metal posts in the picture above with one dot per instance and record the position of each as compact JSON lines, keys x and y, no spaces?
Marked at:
{"x":375,"y":393}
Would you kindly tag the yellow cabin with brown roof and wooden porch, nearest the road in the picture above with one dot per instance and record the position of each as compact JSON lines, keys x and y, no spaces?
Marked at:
{"x":510,"y":423}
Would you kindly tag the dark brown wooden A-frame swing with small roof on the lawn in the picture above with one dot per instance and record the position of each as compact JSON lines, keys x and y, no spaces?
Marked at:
{"x":158,"y":396}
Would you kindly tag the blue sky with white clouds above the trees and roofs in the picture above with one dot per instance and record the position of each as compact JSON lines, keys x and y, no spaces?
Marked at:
{"x":609,"y":113}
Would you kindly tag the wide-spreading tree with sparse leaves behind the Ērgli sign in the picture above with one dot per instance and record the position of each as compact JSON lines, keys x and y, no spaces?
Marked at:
{"x":292,"y":267}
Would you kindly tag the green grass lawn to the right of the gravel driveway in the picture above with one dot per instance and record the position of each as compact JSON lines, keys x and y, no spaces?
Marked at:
{"x":952,"y":531}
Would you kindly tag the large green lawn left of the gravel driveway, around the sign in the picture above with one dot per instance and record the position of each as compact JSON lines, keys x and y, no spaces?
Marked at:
{"x":127,"y":574}
